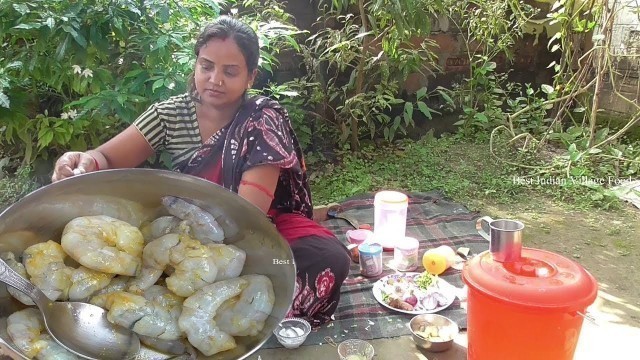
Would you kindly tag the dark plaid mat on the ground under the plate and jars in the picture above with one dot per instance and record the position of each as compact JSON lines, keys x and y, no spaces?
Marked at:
{"x":434,"y":221}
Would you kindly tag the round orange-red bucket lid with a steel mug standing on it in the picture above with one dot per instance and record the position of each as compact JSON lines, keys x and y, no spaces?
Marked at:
{"x":540,"y":279}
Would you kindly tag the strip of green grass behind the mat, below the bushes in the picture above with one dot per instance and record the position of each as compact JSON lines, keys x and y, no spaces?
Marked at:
{"x":463,"y":169}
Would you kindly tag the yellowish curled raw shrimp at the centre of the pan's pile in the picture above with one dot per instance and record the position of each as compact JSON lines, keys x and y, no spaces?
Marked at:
{"x":193,"y":265}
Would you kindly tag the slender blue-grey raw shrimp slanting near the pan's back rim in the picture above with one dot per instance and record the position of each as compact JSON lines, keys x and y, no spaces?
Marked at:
{"x":204,"y":225}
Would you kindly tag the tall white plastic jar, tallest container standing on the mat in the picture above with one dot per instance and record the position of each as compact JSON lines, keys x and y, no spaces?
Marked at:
{"x":390,"y":218}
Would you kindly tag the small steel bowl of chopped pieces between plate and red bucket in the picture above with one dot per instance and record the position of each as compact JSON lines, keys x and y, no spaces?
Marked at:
{"x":446,"y":327}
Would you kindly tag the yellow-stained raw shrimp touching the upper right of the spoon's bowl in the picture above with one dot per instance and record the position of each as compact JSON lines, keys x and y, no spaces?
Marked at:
{"x":155,"y":314}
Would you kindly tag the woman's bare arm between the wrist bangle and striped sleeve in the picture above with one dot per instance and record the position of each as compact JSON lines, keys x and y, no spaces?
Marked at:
{"x":126,"y":150}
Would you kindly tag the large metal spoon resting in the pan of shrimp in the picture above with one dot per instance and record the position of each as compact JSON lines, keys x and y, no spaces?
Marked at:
{"x":81,"y":328}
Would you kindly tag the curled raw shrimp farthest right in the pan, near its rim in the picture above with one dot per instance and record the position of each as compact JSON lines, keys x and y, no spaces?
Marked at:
{"x":246,"y":315}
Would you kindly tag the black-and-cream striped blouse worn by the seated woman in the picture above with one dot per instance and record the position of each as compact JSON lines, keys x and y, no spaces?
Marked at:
{"x":172,"y":125}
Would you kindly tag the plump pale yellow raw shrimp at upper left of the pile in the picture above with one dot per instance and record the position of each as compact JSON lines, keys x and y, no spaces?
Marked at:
{"x":104,"y":244}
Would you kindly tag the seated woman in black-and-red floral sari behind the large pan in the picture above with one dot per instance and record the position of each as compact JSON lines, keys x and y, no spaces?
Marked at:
{"x":246,"y":145}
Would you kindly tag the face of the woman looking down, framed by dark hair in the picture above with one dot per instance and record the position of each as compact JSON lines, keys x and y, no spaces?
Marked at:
{"x":221,"y":75}
